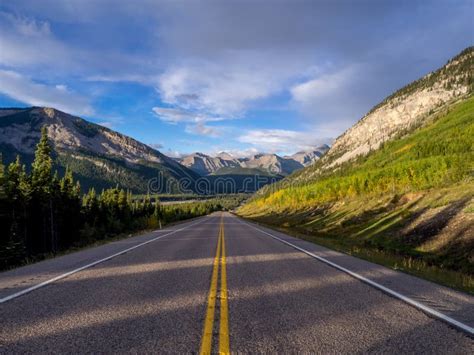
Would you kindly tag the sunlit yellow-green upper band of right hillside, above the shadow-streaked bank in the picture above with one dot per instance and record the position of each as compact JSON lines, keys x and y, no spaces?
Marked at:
{"x":434,"y":156}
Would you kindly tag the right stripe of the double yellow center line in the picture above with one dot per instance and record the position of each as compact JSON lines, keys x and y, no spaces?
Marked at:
{"x":224,"y":347}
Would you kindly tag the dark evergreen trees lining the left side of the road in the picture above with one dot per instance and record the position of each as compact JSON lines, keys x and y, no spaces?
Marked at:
{"x":42,"y":214}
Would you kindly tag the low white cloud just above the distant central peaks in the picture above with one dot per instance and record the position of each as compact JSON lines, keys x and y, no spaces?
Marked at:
{"x":280,"y":140}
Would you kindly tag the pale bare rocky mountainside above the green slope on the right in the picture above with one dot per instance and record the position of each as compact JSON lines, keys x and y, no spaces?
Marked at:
{"x":405,"y":109}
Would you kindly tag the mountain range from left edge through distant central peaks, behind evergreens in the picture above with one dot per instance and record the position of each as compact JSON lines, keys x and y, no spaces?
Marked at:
{"x":101,"y":158}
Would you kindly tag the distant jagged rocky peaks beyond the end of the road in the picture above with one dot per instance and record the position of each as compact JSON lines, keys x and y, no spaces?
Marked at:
{"x":273,"y":164}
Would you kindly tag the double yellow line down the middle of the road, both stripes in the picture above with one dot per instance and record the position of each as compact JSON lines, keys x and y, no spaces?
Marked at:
{"x":219,"y":260}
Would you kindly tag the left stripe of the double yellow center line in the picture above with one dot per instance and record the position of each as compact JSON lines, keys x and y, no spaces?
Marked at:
{"x":206,"y":342}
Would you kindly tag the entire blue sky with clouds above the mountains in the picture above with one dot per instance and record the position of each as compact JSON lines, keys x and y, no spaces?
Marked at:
{"x":209,"y":76}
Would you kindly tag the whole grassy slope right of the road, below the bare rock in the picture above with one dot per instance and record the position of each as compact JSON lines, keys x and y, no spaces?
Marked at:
{"x":408,"y":205}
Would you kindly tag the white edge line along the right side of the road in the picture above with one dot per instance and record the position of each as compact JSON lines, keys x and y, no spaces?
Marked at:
{"x":430,"y":311}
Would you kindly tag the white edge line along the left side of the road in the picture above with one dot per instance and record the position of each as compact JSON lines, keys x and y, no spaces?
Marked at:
{"x":62,"y":276}
